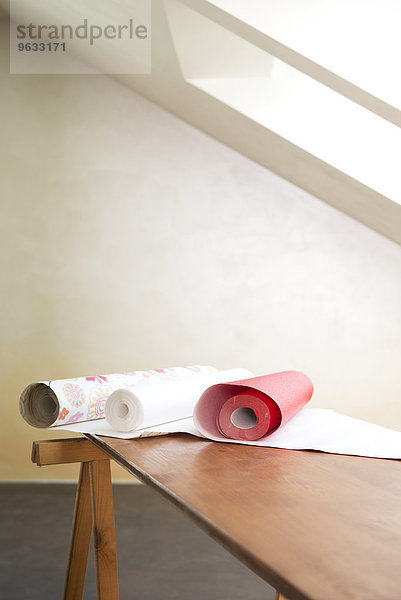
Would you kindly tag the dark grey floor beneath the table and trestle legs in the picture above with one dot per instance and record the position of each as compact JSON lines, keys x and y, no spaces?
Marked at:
{"x":161,"y":553}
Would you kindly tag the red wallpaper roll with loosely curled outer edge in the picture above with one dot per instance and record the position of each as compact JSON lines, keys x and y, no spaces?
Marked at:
{"x":250,"y":409}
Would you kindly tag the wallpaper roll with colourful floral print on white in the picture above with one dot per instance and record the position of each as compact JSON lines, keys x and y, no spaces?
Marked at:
{"x":66,"y":401}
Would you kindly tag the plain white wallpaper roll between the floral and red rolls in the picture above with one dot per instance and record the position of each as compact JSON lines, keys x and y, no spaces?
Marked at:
{"x":152,"y":405}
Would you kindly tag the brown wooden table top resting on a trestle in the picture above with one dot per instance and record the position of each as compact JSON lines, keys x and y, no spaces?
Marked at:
{"x":315,"y":526}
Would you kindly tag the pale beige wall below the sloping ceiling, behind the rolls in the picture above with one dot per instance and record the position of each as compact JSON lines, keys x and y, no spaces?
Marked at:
{"x":131,"y":240}
